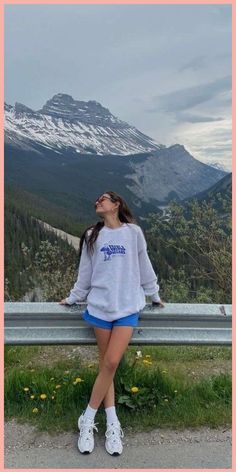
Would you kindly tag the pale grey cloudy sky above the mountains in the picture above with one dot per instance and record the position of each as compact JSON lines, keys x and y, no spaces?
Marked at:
{"x":165,"y":69}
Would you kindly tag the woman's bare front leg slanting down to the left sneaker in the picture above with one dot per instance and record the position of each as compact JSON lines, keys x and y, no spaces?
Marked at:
{"x":118,"y":342}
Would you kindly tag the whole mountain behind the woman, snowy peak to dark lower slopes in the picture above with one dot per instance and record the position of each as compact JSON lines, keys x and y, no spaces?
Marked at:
{"x":70,"y":151}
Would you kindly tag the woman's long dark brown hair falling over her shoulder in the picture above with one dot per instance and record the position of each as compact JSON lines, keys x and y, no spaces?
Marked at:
{"x":124,"y":214}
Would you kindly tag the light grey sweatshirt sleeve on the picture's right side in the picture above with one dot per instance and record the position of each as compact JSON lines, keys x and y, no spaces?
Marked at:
{"x":148,"y":277}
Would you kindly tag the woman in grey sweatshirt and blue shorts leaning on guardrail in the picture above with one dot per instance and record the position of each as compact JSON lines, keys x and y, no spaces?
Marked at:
{"x":115,"y":274}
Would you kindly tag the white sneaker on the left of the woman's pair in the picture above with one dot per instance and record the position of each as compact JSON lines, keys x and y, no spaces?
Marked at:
{"x":86,"y":439}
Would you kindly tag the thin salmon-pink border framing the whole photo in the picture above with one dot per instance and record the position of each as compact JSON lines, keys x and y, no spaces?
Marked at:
{"x":104,"y":2}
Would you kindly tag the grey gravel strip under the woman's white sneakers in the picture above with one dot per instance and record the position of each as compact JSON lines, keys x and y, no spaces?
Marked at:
{"x":25,"y":447}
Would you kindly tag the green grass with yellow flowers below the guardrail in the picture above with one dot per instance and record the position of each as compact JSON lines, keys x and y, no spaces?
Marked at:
{"x":169,"y":395}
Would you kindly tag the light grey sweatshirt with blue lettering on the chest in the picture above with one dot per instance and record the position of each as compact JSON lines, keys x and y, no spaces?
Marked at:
{"x":117,"y":276}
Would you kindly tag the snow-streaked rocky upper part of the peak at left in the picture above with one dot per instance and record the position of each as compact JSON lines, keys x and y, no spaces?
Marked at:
{"x":64,"y":123}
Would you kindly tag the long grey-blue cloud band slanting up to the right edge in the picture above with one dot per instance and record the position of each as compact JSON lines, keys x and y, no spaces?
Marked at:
{"x":190,"y":97}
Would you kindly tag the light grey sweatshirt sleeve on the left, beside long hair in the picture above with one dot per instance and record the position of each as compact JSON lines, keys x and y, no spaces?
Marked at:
{"x":83,"y":284}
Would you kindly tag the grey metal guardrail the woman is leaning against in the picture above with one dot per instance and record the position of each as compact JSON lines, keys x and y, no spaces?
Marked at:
{"x":176,"y":323}
